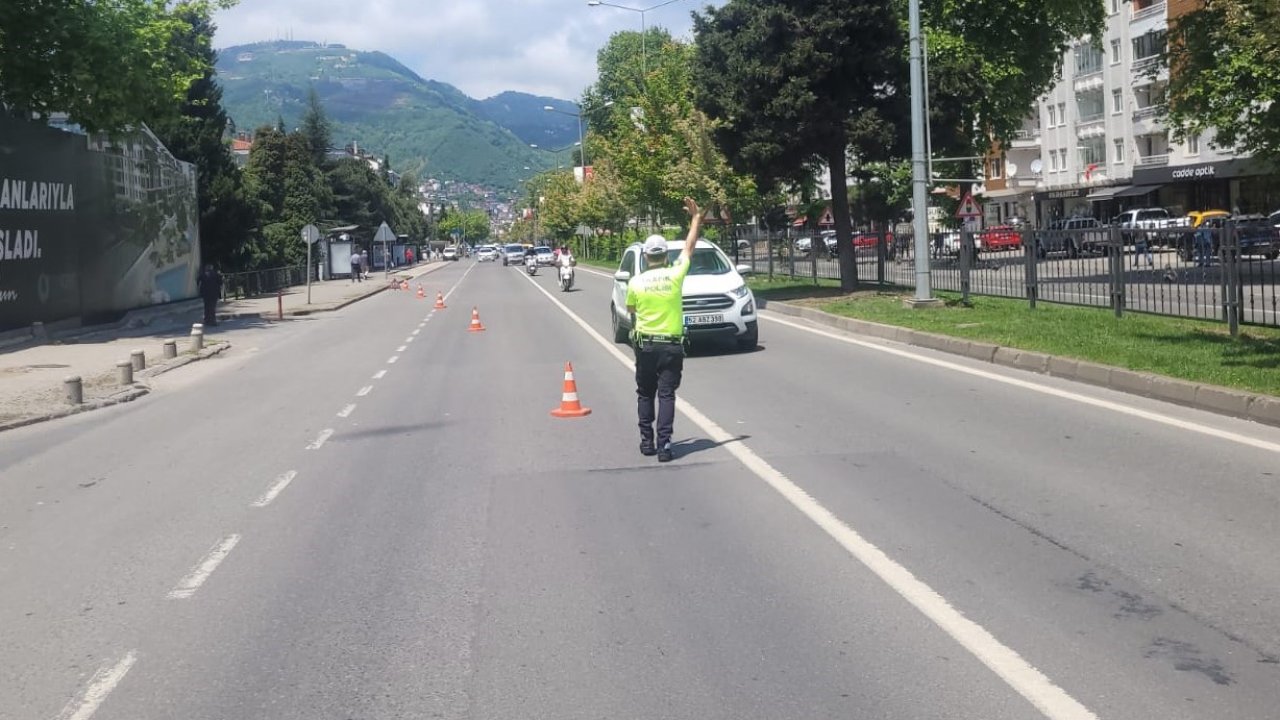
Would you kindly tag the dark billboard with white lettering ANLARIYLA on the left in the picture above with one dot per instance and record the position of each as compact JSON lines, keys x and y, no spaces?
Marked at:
{"x":92,"y":227}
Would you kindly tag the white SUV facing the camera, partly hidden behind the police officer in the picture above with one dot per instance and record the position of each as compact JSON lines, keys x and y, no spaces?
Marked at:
{"x":719,"y":306}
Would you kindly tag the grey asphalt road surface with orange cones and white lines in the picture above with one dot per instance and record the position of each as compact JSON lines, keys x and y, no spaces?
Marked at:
{"x":308,"y":528}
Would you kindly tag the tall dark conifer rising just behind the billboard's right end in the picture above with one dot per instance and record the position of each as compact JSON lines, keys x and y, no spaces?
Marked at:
{"x":194,"y":131}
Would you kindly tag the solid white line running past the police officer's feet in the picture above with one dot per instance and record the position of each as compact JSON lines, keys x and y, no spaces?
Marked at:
{"x":1053,"y":701}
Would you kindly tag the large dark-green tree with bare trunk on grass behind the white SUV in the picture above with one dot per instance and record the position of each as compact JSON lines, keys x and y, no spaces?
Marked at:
{"x":789,"y":102}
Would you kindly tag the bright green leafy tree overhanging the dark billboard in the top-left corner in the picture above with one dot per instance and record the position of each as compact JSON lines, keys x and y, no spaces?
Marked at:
{"x":108,"y":66}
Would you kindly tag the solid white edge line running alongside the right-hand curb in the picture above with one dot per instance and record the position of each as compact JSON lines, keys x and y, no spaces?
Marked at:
{"x":1045,"y":390}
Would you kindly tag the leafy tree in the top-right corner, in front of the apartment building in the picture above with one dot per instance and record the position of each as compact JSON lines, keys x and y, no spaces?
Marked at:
{"x":1224,"y":62}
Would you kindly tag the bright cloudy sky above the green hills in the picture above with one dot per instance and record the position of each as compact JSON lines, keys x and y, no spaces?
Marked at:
{"x":482,"y":47}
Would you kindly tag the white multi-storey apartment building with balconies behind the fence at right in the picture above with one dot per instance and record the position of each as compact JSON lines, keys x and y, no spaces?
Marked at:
{"x":1095,"y":145}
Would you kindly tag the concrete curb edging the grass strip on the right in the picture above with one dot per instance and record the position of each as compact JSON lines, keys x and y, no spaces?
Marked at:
{"x":1215,"y":399}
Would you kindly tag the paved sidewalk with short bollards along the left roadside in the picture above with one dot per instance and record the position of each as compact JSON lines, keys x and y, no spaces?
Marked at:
{"x":31,"y":376}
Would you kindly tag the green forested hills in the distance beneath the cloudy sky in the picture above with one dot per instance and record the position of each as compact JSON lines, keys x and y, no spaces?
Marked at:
{"x":372,"y":99}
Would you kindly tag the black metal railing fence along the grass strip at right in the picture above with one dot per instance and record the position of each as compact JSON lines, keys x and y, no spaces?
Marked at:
{"x":1227,"y":272}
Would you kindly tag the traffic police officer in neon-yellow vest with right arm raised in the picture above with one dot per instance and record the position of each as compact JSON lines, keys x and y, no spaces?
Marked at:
{"x":656,"y":306}
